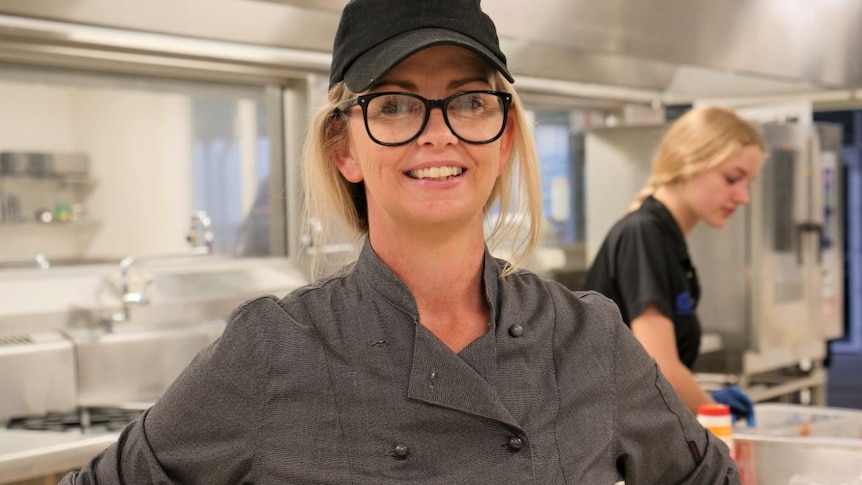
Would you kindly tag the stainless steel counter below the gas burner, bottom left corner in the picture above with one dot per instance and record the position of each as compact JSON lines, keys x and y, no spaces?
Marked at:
{"x":32,"y":454}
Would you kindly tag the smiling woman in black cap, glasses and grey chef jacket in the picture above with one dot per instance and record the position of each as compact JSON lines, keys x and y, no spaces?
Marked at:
{"x":426,"y":360}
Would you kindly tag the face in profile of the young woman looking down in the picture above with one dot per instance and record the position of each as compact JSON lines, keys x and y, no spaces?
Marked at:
{"x":713,"y":195}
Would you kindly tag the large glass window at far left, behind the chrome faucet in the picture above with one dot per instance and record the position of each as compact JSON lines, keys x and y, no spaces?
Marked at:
{"x":156,"y":152}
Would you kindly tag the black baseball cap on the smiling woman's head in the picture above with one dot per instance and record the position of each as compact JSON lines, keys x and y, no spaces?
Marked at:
{"x":375,"y":35}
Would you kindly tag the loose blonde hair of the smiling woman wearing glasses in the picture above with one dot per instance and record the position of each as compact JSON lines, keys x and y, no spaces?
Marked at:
{"x":333,"y":204}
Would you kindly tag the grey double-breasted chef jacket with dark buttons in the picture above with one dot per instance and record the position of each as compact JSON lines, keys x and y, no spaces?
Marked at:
{"x":338,"y":383}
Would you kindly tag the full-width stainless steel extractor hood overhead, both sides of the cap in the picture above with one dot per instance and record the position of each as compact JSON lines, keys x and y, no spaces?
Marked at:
{"x":667,"y":51}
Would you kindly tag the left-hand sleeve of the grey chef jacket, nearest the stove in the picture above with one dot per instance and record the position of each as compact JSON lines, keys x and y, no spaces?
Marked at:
{"x":202,"y":429}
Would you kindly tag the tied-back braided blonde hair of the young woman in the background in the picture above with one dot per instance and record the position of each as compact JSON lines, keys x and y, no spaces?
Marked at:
{"x":698,"y":141}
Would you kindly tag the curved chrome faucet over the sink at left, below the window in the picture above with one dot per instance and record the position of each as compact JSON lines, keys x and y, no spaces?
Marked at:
{"x":200,"y":237}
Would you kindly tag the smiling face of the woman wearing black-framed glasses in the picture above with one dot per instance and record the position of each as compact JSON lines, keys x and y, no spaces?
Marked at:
{"x":435,"y":182}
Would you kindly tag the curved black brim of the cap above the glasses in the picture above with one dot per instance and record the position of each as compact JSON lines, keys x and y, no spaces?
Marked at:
{"x":370,"y":67}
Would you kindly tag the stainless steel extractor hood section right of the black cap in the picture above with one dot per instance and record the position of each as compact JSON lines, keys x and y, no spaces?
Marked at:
{"x":679,"y":49}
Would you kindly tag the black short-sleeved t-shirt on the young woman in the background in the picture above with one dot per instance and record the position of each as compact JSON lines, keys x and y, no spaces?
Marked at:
{"x":644,"y":259}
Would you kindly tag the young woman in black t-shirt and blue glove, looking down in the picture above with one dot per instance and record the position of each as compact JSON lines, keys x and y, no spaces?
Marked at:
{"x":701,"y":172}
